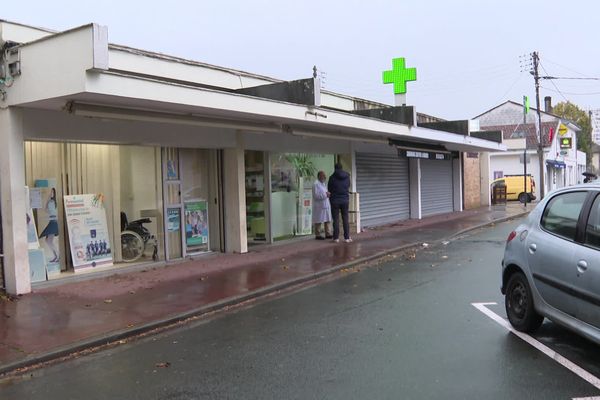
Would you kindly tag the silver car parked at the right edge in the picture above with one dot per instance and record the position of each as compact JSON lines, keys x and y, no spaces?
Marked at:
{"x":551,"y":265}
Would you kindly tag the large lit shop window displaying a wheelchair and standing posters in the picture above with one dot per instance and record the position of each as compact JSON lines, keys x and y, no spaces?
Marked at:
{"x":123,"y":180}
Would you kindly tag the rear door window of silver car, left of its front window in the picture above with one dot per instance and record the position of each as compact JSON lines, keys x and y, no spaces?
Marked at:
{"x":562,"y":212}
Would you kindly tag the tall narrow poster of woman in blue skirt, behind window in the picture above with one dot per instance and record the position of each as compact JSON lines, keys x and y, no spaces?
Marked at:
{"x":47,"y":222}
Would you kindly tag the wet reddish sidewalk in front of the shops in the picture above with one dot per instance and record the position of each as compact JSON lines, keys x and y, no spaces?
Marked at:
{"x":57,"y":320}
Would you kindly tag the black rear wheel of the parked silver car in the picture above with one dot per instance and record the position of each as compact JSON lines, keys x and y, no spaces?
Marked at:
{"x":519,"y":304}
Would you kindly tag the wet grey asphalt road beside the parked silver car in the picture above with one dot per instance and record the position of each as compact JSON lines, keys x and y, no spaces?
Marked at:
{"x":404,"y":329}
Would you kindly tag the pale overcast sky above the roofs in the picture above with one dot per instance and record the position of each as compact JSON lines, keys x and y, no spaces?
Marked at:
{"x":468,"y":54}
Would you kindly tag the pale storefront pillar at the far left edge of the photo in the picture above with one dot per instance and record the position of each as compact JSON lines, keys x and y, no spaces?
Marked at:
{"x":12,"y":195}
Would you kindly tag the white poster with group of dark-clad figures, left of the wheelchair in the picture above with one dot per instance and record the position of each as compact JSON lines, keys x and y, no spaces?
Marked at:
{"x":88,"y":231}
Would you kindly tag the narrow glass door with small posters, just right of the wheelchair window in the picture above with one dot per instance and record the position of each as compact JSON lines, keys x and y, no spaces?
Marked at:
{"x":173,"y":205}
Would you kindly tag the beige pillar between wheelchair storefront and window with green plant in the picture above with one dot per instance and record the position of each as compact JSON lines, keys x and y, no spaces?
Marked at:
{"x":236,"y":240}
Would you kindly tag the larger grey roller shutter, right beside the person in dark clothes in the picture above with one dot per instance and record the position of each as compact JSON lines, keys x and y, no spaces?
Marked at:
{"x":383,"y":186}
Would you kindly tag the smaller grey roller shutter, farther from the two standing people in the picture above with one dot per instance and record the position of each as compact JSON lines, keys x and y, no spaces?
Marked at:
{"x":436,"y":187}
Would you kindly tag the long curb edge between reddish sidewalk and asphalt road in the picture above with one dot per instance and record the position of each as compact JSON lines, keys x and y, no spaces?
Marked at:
{"x":115,"y":336}
